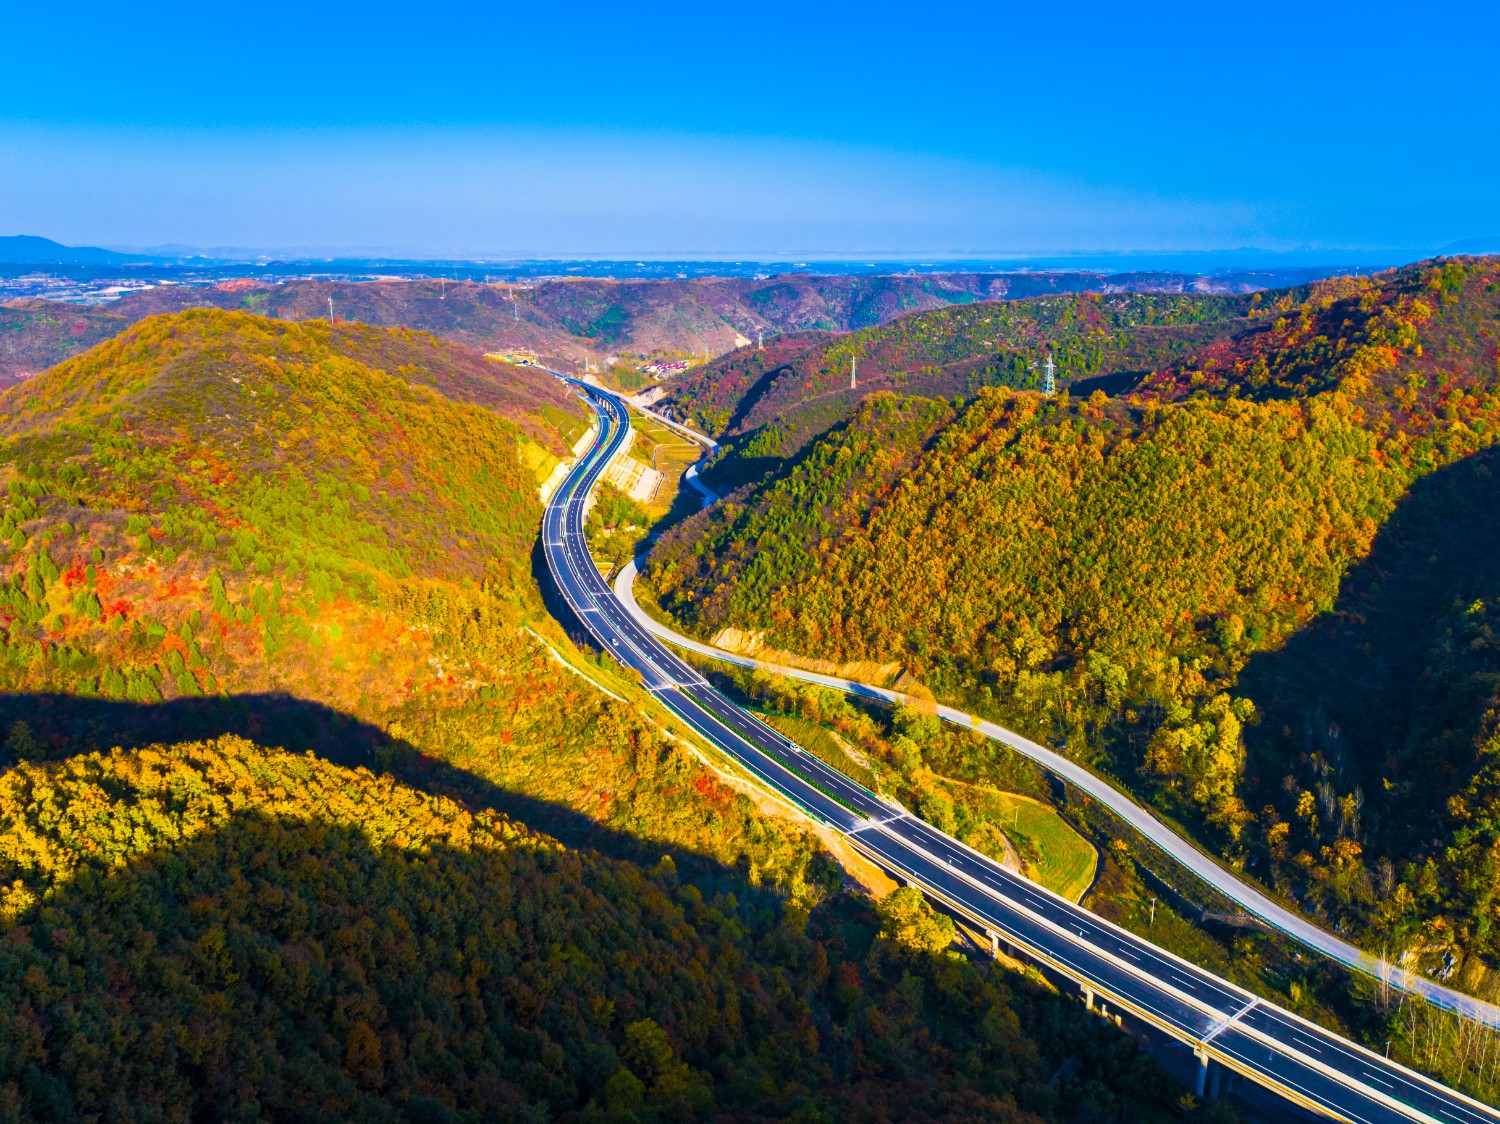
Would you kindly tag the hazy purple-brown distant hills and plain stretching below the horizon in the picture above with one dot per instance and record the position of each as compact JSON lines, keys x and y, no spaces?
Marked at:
{"x":571,"y":322}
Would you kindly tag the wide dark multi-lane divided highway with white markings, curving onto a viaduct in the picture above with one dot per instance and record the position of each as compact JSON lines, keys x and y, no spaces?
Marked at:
{"x":1226,"y":1026}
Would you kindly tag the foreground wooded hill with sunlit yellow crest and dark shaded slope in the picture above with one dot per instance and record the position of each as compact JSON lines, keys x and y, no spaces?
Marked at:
{"x":214,"y":931}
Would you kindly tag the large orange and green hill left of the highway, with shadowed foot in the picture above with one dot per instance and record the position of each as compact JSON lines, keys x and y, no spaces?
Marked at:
{"x":226,"y":523}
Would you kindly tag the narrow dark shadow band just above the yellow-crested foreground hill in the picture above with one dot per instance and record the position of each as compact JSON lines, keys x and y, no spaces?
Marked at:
{"x":59,"y":727}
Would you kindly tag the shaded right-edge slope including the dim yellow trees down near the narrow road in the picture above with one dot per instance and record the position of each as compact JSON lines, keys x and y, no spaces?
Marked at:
{"x":1378,"y":759}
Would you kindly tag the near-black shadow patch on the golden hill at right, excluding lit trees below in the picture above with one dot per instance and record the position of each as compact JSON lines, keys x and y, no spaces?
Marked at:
{"x":1373,"y":687}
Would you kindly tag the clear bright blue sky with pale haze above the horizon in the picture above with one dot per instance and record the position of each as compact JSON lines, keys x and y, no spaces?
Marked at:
{"x":719,"y":130}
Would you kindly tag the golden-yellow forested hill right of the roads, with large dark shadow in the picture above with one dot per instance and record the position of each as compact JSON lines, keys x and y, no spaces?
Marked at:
{"x":1286,"y":544}
